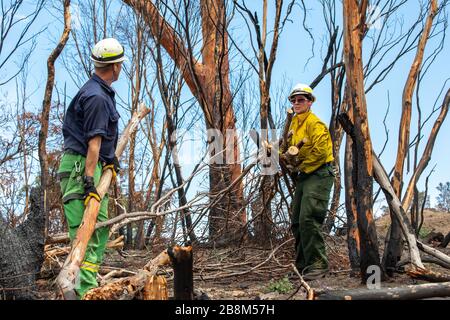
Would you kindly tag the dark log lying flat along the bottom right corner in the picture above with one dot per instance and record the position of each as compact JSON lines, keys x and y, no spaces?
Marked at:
{"x":422,"y":291}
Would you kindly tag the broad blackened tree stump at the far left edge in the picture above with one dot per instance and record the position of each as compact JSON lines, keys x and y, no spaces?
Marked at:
{"x":22,"y":253}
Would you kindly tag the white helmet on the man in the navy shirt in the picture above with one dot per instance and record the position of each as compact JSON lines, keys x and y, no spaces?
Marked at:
{"x":107,"y":51}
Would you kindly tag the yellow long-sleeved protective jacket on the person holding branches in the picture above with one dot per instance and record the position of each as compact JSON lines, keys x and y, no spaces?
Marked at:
{"x":318,"y":148}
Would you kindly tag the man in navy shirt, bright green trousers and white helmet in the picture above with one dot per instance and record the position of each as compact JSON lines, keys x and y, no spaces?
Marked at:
{"x":90,"y":133}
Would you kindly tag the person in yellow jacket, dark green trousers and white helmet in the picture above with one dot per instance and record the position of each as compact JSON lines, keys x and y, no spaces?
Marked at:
{"x":313,"y":184}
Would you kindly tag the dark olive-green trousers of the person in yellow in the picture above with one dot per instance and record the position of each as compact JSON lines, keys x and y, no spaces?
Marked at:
{"x":309,"y":210}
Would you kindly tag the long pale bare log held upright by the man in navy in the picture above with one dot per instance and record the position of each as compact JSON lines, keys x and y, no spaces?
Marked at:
{"x":70,"y":270}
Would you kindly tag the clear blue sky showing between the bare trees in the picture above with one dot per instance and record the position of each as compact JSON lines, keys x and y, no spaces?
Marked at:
{"x":291,"y":67}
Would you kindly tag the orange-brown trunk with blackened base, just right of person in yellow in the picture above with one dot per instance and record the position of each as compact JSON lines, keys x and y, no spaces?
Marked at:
{"x":354,"y":22}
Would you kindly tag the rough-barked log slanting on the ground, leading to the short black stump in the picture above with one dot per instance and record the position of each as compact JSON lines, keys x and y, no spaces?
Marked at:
{"x":128,"y":288}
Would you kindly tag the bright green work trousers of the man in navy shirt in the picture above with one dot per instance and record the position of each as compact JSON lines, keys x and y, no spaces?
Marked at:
{"x":71,"y":172}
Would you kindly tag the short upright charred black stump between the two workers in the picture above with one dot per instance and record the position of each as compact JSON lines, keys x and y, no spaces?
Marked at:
{"x":183,"y":281}
